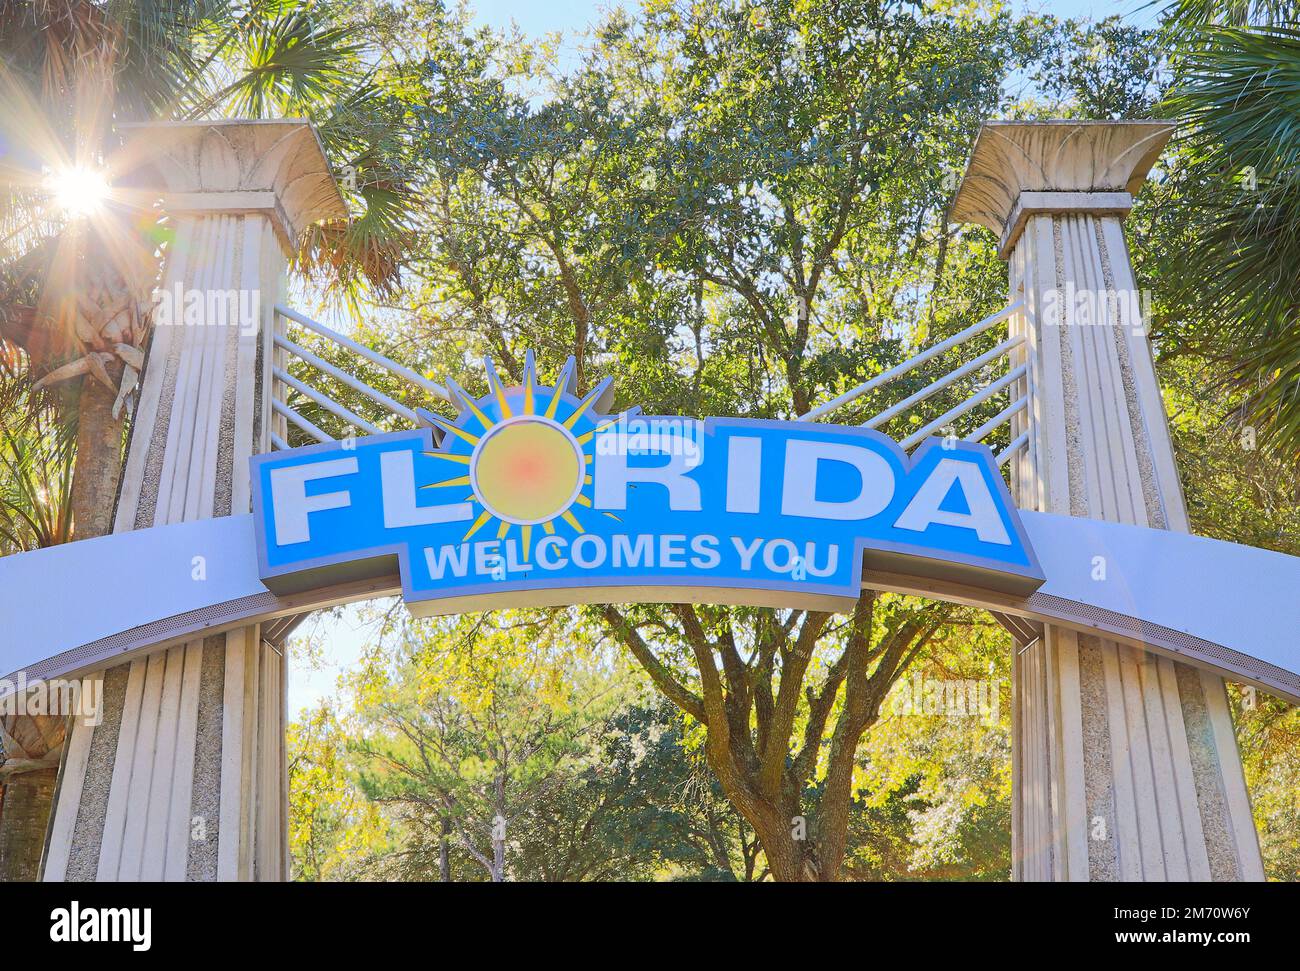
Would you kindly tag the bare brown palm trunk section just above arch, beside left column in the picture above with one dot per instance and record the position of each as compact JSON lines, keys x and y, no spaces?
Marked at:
{"x":99,"y":461}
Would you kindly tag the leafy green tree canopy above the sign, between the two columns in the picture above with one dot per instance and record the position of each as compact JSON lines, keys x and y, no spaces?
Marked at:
{"x":723,"y":236}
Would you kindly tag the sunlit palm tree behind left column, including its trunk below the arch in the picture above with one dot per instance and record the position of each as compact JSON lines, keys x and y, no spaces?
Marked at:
{"x":79,"y":261}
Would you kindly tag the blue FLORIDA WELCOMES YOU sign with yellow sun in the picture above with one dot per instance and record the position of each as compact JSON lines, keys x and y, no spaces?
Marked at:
{"x":535,"y":497}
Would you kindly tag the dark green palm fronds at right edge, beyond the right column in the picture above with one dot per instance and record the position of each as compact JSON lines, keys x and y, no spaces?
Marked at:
{"x":1240,"y":90}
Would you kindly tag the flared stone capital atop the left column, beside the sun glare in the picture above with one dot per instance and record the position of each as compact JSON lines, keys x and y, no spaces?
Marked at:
{"x":276,"y":167}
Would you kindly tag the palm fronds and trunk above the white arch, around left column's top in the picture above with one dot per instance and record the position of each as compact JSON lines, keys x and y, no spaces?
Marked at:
{"x":76,"y":271}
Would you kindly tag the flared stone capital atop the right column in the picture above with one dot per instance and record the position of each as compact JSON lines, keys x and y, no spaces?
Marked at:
{"x":1020,"y":168}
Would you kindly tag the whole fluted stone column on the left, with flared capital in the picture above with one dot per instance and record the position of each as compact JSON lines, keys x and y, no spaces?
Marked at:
{"x":185,"y":779}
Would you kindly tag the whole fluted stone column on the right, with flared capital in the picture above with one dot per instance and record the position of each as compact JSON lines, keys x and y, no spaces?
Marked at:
{"x":1125,"y":762}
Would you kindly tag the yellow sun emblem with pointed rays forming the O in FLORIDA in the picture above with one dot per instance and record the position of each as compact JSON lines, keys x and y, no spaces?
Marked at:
{"x":528,"y":450}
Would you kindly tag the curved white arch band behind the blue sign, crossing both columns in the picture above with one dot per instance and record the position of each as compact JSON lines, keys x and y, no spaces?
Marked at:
{"x":1214,"y":604}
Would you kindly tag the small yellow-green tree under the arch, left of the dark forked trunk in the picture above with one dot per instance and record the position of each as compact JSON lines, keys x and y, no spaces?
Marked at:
{"x":467,"y":721}
